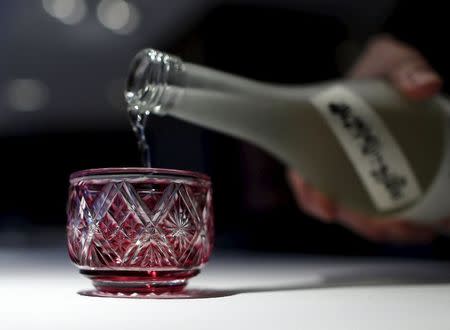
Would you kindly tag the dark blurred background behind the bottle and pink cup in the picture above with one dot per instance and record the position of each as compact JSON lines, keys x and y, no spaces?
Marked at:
{"x":62,"y":73}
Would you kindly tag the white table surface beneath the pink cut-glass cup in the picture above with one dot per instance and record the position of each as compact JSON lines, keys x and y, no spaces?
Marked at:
{"x":38,"y":290}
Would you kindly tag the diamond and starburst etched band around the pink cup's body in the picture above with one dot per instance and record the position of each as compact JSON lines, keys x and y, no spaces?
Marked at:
{"x":140,"y":224}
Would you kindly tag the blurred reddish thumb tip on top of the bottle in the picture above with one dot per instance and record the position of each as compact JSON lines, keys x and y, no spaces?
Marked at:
{"x":415,"y":78}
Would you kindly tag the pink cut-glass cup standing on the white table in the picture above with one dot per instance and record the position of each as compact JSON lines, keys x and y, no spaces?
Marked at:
{"x":139,"y":230}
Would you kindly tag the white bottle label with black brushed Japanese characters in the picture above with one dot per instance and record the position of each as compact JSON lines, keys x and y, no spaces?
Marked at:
{"x":373,"y":151}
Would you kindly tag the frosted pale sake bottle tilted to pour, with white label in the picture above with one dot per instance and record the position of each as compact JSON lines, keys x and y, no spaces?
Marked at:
{"x":360,"y":142}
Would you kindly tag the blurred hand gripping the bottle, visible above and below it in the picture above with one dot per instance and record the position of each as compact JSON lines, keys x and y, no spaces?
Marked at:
{"x":408,"y":70}
